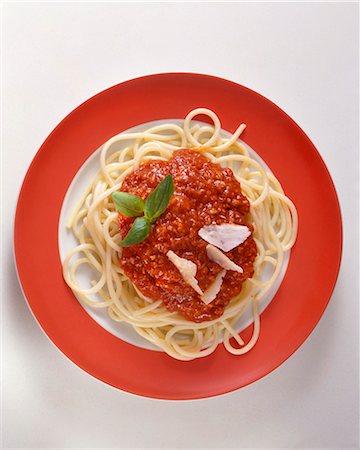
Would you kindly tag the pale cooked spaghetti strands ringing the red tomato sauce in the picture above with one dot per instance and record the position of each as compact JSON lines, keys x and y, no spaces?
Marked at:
{"x":94,"y":223}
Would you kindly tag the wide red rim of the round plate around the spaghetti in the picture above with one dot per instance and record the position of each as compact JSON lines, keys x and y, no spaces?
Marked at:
{"x":306,"y":287}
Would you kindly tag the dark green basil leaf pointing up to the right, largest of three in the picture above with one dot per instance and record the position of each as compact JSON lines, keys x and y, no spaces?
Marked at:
{"x":157,"y":201}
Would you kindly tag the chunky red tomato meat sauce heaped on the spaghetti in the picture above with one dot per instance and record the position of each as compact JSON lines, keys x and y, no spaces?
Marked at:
{"x":205,"y":193}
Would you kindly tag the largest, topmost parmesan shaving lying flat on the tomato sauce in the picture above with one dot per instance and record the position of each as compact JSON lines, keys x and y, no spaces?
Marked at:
{"x":225,"y":236}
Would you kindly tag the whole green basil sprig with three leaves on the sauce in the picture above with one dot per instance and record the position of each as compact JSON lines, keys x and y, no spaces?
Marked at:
{"x":133,"y":206}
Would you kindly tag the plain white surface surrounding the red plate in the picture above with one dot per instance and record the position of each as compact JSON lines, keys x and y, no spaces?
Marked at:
{"x":303,"y":57}
